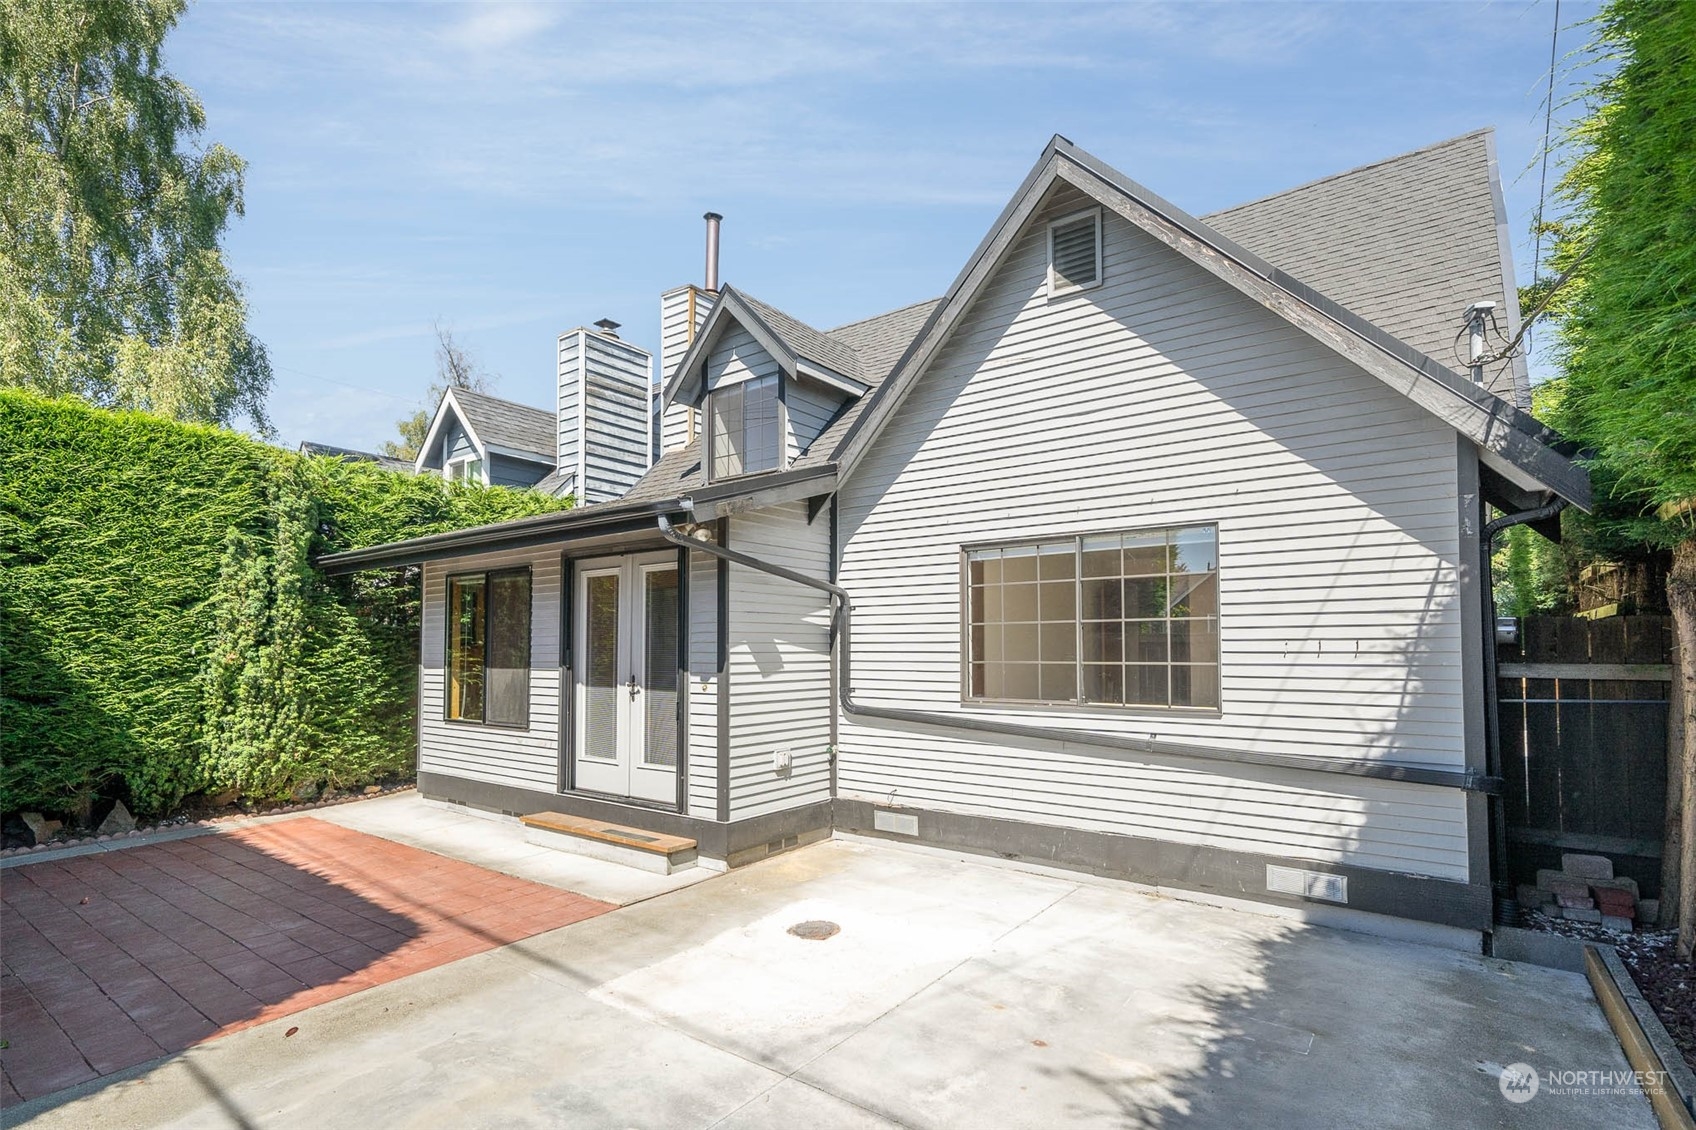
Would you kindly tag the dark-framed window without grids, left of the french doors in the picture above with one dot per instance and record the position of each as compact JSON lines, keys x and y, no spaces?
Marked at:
{"x":489,"y":647}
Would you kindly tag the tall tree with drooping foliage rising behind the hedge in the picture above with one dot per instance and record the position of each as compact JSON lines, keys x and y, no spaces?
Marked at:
{"x":113,"y":284}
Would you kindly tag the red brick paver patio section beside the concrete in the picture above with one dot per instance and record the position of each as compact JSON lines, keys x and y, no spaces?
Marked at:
{"x":114,"y":959}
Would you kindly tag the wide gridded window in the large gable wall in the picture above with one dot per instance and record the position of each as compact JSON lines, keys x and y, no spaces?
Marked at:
{"x":1103,"y":620}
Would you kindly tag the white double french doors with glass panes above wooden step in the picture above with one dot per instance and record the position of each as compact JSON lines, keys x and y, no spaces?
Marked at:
{"x":627,"y":688}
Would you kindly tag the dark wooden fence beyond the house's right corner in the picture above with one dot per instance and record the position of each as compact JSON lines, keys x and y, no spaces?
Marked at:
{"x":1585,"y":737}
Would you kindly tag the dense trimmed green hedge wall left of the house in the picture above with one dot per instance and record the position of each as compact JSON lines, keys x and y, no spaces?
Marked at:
{"x":162,"y":630}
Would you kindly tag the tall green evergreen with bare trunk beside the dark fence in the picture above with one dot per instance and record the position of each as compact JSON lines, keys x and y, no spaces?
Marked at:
{"x":1627,"y":328}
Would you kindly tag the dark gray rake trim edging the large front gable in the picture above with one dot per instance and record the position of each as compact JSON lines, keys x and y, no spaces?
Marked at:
{"x":1509,"y":439}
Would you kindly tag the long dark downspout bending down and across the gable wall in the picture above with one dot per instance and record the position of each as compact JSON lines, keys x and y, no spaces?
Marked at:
{"x":842,"y":622}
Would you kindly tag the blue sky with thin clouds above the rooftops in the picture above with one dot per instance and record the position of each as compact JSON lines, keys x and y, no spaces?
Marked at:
{"x":520,"y":171}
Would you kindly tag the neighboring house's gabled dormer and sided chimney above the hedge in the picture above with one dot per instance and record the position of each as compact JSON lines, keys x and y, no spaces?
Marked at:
{"x":596,"y":444}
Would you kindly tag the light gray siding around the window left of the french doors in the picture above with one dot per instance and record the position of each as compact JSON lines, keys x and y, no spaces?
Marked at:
{"x":499,"y":756}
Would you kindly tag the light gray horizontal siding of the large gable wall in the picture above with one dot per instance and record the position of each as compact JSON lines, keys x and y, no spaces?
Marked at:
{"x":1161,"y":400}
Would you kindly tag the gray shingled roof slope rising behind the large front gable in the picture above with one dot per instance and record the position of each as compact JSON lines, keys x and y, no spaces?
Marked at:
{"x":1405,"y":243}
